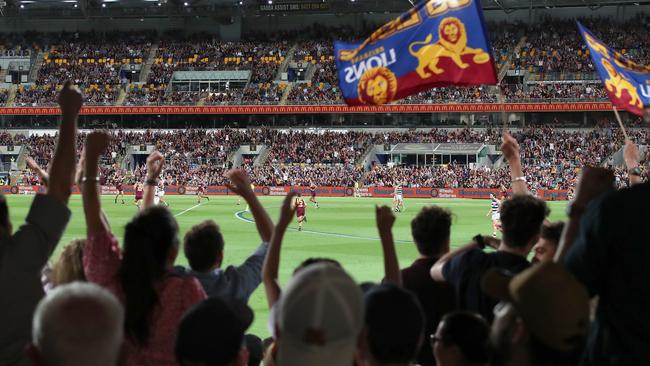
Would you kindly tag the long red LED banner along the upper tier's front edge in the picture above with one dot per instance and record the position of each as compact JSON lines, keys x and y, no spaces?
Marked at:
{"x":322,"y":109}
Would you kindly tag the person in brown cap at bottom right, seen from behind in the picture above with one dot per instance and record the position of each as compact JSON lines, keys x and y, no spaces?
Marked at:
{"x":542,"y":319}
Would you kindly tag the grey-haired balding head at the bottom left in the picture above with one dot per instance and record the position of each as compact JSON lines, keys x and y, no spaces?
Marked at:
{"x":77,"y":324}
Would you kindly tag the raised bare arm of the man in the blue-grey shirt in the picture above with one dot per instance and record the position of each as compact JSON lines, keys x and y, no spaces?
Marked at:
{"x":241,"y":184}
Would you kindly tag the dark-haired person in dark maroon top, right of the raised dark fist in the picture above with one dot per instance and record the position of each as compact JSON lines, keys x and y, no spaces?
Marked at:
{"x":430,"y":230}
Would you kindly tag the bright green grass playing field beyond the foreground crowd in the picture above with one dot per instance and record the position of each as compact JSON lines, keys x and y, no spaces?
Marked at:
{"x":343,"y":229}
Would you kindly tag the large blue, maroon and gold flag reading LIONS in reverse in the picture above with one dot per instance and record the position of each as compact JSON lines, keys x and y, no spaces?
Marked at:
{"x":436,"y":43}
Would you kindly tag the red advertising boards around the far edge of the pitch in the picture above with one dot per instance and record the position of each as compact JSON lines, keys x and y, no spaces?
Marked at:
{"x":381,"y":192}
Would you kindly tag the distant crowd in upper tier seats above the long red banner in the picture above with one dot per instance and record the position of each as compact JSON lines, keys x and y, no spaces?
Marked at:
{"x":552,"y":52}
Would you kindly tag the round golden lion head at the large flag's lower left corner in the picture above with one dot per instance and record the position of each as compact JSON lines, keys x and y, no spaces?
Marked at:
{"x":377,"y":86}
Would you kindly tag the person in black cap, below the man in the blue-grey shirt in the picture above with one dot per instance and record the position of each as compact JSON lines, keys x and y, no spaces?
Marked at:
{"x":212,"y":333}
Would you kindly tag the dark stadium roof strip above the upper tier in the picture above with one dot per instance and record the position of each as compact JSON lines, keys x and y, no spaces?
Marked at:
{"x":153,"y":8}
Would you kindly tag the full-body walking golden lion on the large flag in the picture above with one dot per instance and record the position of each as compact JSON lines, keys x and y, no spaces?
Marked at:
{"x":452,"y":43}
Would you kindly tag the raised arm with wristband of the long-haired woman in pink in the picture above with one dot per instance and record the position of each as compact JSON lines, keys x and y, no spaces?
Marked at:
{"x":96,"y":144}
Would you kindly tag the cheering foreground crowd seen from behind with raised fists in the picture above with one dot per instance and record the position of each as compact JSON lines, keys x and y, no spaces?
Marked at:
{"x":483,"y":303}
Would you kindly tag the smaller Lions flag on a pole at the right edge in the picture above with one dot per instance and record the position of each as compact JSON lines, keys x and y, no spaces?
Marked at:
{"x":627,"y":83}
